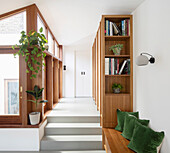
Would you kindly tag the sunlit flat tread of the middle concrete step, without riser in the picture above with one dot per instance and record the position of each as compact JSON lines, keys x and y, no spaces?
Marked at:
{"x":73,"y":125}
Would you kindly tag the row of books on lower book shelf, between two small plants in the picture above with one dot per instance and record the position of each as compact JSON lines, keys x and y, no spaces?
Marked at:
{"x":114,"y":67}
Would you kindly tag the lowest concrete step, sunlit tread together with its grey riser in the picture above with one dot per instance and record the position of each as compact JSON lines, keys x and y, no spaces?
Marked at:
{"x":72,"y":142}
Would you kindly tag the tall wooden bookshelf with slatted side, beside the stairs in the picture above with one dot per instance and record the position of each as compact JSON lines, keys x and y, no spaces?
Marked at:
{"x":108,"y":101}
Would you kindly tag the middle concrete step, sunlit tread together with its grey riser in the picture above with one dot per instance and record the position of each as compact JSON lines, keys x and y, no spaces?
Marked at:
{"x":73,"y":129}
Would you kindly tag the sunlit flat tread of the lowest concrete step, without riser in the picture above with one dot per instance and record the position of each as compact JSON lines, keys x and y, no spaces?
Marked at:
{"x":73,"y":138}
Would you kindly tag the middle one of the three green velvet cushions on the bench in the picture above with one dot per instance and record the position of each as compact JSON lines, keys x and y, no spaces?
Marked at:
{"x":129,"y":125}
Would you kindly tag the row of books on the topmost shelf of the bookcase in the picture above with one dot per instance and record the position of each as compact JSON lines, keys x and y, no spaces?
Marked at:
{"x":122,"y":29}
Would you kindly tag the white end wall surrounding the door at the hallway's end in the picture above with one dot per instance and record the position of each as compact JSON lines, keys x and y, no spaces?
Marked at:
{"x":83,"y":45}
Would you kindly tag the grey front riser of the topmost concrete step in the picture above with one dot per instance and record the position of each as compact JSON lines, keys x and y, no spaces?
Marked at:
{"x":73,"y":119}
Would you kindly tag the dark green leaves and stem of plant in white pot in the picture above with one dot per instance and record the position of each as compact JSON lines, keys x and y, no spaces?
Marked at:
{"x":37,"y":94}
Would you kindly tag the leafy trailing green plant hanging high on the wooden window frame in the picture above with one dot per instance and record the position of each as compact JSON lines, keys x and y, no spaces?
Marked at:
{"x":32,"y":47}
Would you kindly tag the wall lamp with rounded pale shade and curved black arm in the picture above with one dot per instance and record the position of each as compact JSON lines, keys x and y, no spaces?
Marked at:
{"x":143,"y":60}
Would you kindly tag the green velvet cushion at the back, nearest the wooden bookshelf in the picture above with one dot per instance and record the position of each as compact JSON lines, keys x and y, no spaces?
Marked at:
{"x":121,"y":118}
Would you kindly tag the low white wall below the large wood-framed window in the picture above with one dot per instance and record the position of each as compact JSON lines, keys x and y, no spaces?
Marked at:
{"x":21,"y":139}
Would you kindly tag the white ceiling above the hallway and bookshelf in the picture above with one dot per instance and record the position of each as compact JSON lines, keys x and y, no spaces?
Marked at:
{"x":74,"y":20}
